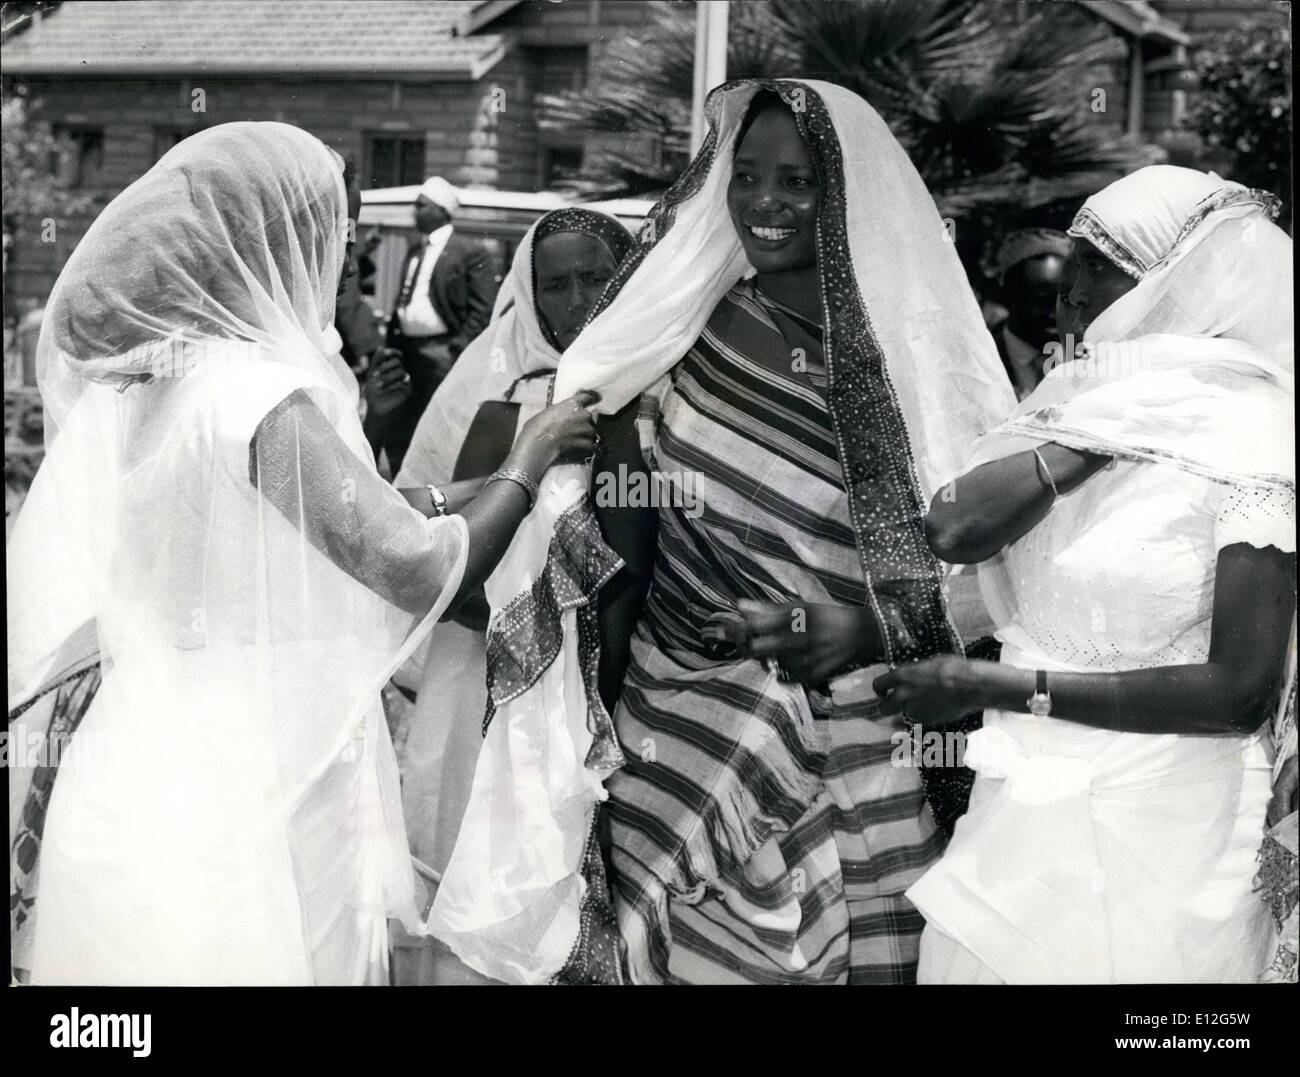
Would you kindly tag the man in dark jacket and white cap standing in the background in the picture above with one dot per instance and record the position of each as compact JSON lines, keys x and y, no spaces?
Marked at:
{"x":448,"y":291}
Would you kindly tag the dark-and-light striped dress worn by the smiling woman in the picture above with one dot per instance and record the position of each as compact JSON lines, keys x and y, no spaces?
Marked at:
{"x":761,"y":832}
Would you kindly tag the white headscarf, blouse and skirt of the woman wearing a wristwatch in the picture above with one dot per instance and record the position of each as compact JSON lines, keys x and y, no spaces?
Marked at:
{"x":1100,"y":857}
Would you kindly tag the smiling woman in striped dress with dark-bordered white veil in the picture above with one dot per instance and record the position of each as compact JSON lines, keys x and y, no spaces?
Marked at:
{"x":769,"y":820}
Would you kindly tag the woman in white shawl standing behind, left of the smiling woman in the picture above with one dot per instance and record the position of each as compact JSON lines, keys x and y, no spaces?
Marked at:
{"x":512,"y":361}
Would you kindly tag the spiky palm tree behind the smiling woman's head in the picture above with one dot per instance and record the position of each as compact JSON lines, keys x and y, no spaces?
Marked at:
{"x":994,"y":105}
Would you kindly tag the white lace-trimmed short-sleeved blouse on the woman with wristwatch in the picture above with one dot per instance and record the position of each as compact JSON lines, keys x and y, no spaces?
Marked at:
{"x":1120,"y":574}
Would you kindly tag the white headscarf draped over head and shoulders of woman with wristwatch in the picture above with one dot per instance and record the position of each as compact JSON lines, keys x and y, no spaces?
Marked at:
{"x":1195,"y":366}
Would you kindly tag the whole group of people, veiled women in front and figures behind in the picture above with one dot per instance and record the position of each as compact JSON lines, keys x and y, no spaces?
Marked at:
{"x":482,"y":725}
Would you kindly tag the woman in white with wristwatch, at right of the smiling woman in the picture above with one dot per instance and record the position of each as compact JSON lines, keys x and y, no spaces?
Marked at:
{"x":1116,"y":818}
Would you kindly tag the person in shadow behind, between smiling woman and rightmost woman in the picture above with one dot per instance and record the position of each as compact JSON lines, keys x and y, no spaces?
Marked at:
{"x":1030,"y":266}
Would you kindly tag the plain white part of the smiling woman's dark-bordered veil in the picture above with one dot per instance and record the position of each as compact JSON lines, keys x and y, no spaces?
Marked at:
{"x":527,"y":824}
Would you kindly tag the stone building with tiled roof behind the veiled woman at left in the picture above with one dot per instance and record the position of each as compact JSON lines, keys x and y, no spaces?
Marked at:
{"x":406,"y":88}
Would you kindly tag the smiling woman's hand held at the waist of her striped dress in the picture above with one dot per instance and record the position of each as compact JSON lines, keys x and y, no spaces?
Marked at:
{"x":811,"y":643}
